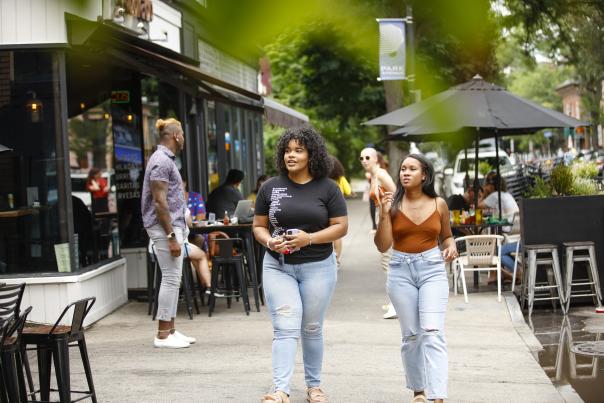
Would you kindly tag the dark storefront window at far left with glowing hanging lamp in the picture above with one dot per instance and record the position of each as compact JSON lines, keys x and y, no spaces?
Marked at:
{"x":33,"y":205}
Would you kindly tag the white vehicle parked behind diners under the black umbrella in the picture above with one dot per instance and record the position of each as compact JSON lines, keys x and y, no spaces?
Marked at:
{"x":454,"y":178}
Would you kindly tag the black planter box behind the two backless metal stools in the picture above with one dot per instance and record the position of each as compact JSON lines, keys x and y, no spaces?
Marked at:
{"x":565,"y":219}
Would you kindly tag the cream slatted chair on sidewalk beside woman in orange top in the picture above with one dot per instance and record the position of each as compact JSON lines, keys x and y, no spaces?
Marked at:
{"x":483,"y":253}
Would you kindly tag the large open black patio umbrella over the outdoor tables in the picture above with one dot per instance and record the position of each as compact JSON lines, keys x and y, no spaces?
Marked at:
{"x":472,"y":110}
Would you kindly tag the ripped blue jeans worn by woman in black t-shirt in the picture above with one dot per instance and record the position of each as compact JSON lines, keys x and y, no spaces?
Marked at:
{"x":298,"y":296}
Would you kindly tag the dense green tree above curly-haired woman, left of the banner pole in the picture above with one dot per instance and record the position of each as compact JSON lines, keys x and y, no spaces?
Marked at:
{"x":315,"y":69}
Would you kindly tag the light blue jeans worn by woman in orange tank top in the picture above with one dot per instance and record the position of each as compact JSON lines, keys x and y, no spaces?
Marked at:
{"x":419,"y":290}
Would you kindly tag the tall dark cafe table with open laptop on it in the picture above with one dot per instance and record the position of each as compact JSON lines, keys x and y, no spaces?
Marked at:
{"x":244,"y":231}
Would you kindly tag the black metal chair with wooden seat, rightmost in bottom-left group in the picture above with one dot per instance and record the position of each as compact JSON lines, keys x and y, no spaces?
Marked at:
{"x":52,"y":343}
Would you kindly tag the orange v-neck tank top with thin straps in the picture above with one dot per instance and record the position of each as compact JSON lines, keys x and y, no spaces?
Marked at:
{"x":415,"y":238}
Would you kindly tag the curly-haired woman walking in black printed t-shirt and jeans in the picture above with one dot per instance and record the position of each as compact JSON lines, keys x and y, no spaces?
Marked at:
{"x":298,"y":215}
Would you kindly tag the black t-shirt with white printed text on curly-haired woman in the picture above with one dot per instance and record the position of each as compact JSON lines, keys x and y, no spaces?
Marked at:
{"x":307,"y":207}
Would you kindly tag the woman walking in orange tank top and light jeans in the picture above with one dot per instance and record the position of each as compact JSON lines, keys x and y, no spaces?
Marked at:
{"x":415,"y":222}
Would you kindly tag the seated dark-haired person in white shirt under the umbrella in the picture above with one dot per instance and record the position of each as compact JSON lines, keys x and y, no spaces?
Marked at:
{"x":508,"y":208}
